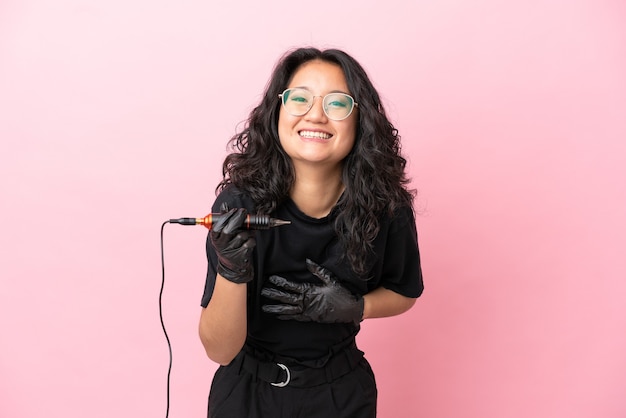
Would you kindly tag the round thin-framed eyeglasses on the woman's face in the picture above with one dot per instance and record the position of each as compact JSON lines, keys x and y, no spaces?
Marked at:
{"x":298,"y":101}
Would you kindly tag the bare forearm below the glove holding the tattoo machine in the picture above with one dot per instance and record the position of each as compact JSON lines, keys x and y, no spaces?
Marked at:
{"x":223,"y":325}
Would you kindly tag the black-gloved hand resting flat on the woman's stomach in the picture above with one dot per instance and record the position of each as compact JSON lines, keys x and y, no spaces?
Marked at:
{"x":326,"y":303}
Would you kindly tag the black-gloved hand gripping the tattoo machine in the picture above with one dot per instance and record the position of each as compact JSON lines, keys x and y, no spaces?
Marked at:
{"x":233,"y":245}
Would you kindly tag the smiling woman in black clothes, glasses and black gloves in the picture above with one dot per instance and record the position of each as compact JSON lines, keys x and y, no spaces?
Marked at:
{"x":282,"y":307}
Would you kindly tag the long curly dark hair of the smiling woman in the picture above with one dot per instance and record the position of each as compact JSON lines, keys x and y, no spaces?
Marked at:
{"x":373,"y":172}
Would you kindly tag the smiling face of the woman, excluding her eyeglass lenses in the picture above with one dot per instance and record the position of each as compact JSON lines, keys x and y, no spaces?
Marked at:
{"x":313,"y":138}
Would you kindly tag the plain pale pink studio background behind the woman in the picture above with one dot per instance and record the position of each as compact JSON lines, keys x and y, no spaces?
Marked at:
{"x":114,"y":118}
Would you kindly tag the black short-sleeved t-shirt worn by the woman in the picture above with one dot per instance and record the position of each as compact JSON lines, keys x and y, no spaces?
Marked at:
{"x":283,"y":250}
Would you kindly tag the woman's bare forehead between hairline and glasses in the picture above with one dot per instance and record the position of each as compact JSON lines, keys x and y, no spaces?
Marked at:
{"x":320,"y":75}
